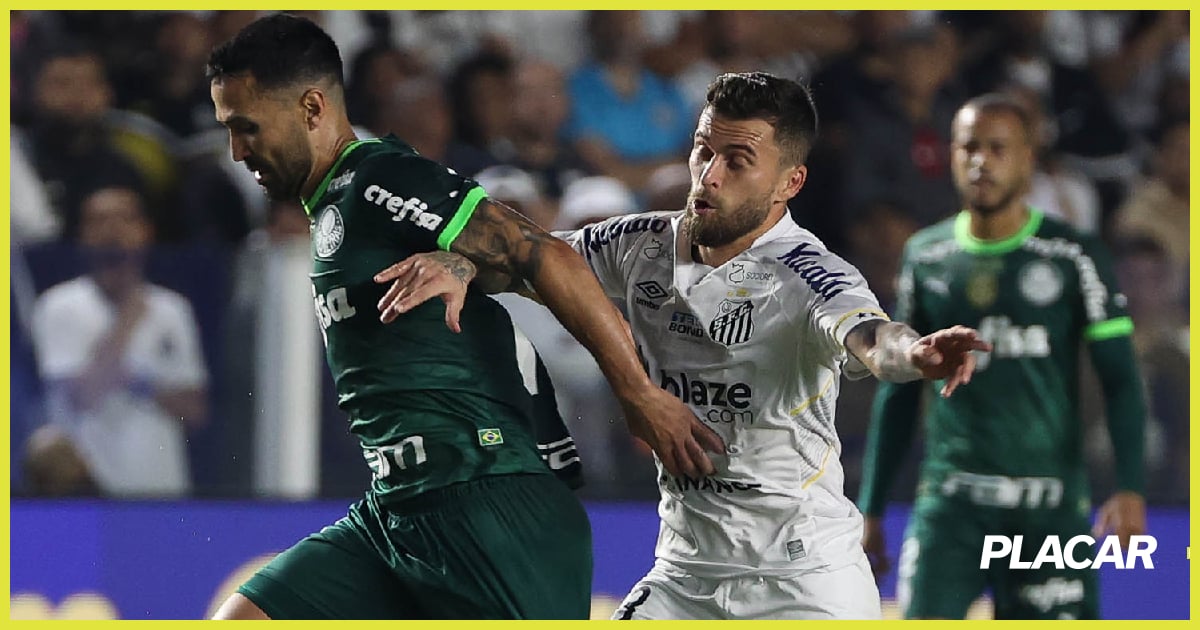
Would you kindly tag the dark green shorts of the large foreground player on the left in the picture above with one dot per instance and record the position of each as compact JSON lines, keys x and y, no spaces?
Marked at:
{"x":500,"y":548}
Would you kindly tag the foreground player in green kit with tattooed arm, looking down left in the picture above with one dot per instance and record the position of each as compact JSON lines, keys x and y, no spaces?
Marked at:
{"x":464,"y":518}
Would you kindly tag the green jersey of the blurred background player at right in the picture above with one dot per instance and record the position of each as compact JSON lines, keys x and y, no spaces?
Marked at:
{"x":1037,"y":297}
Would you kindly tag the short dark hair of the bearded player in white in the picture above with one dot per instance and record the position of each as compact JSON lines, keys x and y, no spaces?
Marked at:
{"x":785,"y":104}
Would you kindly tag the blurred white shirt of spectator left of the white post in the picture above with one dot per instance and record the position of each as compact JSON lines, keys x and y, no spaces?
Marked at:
{"x":133,"y":446}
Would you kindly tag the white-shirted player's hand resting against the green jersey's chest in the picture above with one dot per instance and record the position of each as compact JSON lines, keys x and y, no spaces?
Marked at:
{"x":423,"y":277}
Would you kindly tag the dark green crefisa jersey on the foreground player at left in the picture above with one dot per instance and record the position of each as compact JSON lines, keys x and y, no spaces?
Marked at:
{"x":429,"y":406}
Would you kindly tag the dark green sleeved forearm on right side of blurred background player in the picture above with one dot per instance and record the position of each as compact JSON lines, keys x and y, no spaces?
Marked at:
{"x":1125,"y":410}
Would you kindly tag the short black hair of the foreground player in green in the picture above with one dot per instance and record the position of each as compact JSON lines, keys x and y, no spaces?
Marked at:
{"x":279,"y":51}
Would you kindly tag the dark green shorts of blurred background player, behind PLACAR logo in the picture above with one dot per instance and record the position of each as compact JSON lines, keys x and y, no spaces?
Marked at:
{"x":939,"y":567}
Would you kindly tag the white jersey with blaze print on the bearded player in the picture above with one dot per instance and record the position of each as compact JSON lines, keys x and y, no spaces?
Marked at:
{"x":755,"y":349}
